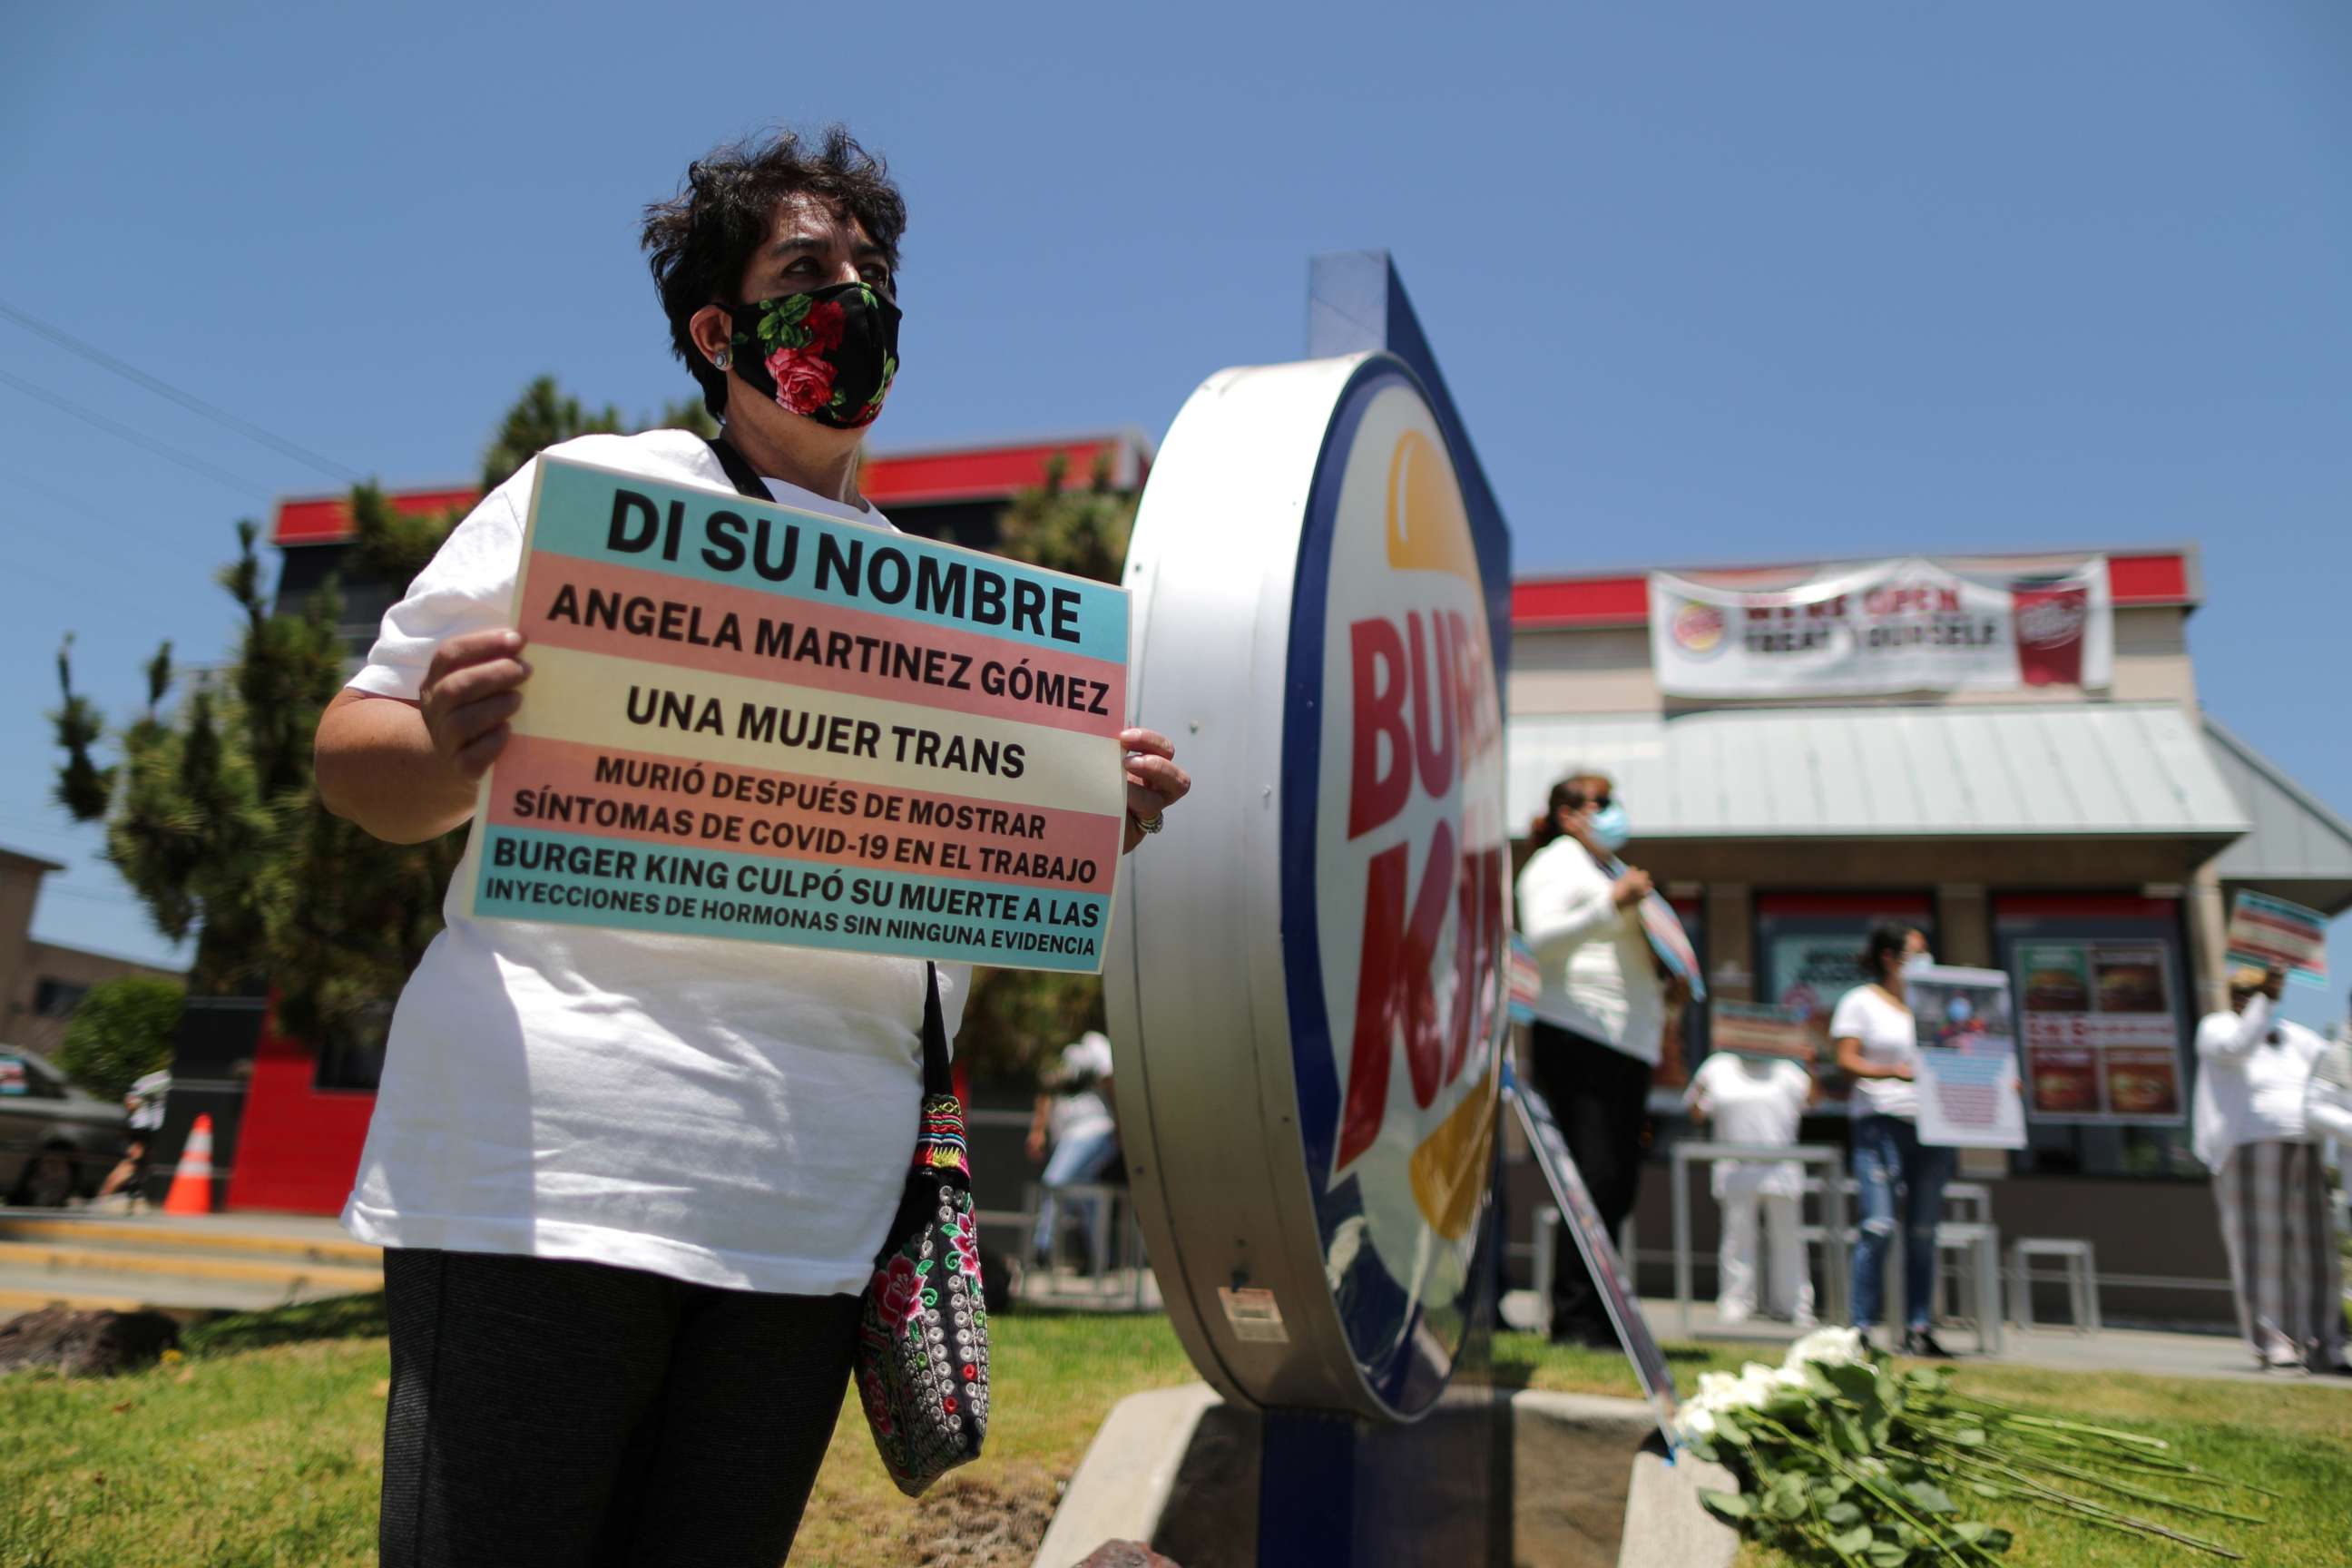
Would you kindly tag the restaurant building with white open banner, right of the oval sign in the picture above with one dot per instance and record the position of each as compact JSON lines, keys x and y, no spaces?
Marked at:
{"x":2005,"y":751}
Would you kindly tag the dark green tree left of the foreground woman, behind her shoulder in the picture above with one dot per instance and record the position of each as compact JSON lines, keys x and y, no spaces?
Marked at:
{"x":211,"y":812}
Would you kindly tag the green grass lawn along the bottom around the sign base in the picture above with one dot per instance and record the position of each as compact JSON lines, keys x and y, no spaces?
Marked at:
{"x":262,"y":1447}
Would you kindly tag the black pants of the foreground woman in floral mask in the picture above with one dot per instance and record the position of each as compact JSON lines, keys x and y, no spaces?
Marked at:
{"x":577,"y":1416}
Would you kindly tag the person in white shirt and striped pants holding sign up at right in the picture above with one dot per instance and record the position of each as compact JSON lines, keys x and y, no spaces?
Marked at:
{"x":2252,"y":1132}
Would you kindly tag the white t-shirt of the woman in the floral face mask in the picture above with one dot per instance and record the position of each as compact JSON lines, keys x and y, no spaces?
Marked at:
{"x":716,"y":1111}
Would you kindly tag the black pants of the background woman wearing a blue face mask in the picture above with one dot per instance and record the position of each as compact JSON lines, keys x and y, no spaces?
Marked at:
{"x":1601,"y":1099}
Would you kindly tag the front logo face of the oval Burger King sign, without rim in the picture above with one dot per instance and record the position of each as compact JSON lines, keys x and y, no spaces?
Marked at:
{"x":1398,"y":1031}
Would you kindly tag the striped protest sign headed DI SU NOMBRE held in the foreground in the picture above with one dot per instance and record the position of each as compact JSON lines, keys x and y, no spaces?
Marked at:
{"x":768,"y":725}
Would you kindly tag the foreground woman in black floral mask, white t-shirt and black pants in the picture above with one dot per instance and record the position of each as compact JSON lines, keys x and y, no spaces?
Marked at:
{"x":632,"y":1184}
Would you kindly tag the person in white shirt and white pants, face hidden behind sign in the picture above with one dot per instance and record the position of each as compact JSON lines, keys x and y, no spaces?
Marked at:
{"x":1758,"y":1101}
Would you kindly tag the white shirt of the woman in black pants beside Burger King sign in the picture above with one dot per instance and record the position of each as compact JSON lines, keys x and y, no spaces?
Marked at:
{"x":1598,"y":972}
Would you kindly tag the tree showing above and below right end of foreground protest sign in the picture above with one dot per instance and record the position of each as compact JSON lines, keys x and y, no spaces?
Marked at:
{"x":1017,"y":1019}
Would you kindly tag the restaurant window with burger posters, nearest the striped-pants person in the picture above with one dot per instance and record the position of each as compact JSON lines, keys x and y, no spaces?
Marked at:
{"x":2104,"y":1028}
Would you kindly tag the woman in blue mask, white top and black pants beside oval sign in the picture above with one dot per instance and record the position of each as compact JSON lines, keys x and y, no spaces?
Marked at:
{"x":1601,"y":1021}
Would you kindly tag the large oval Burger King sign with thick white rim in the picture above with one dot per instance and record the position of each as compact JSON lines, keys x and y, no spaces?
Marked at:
{"x":1309,"y":989}
